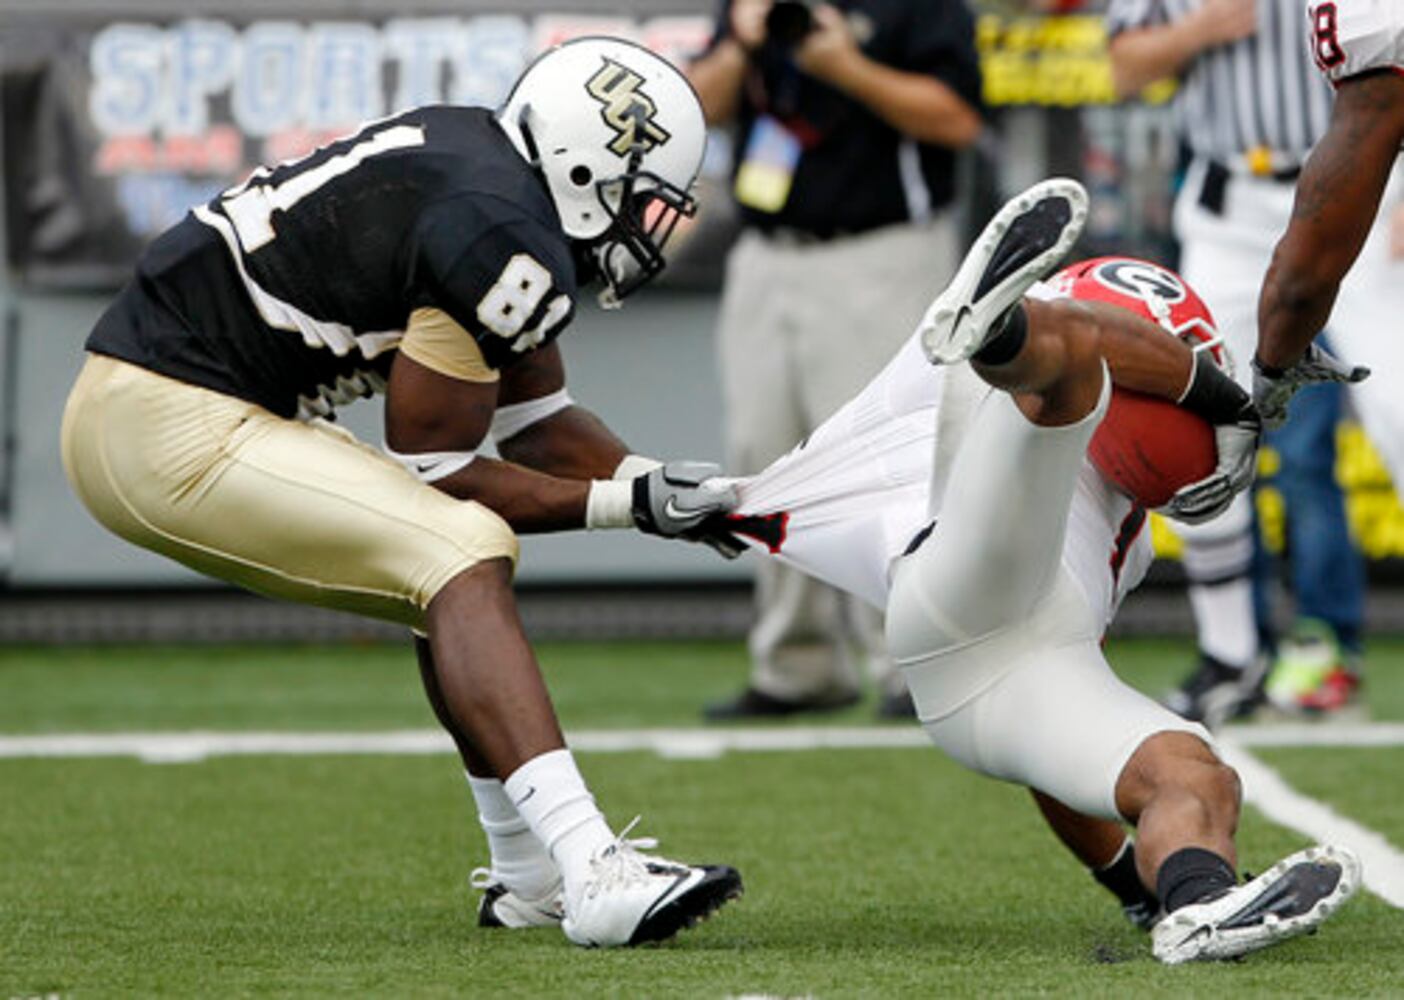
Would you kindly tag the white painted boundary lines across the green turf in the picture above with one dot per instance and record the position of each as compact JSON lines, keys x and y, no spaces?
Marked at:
{"x":1263,"y":787}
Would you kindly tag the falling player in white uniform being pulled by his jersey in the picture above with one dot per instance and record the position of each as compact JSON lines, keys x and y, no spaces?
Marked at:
{"x":962,"y":501}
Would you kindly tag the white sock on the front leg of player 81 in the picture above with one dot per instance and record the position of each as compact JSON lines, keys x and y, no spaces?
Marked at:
{"x":552,"y":798}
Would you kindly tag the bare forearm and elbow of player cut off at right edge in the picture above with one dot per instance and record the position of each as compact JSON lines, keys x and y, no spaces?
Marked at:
{"x":1339,"y":196}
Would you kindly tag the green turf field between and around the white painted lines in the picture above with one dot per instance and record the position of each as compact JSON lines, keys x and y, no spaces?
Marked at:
{"x":870,"y":873}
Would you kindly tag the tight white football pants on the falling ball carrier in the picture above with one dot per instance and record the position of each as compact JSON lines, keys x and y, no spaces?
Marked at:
{"x":996,"y":637}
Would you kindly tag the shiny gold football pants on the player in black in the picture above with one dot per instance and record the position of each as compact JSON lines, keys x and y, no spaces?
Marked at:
{"x":289,"y":509}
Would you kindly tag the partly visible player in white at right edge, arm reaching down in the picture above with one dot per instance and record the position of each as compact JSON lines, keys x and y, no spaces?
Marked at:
{"x":1360,"y":46}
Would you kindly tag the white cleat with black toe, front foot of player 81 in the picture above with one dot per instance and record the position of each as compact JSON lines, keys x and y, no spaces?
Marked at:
{"x":633,"y":898}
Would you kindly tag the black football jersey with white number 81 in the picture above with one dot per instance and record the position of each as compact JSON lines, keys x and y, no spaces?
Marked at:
{"x":294,"y":289}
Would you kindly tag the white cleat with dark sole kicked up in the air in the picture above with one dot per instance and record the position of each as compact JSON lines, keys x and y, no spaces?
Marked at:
{"x":1021,"y":245}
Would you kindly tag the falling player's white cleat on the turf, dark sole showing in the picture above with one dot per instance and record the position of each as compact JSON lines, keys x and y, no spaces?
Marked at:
{"x":1290,"y":900}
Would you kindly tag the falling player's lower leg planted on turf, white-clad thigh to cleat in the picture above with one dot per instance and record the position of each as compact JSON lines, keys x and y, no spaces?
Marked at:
{"x":1062,"y":723}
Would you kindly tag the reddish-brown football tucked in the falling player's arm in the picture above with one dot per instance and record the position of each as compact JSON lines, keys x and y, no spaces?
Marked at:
{"x":1149,"y":449}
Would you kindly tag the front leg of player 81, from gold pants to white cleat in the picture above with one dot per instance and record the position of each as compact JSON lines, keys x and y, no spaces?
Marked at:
{"x":308,"y":513}
